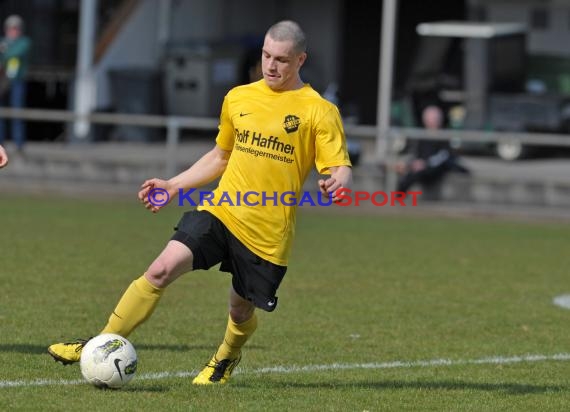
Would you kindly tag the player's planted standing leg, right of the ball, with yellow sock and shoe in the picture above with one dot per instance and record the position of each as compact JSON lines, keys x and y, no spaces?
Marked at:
{"x":242,"y":322}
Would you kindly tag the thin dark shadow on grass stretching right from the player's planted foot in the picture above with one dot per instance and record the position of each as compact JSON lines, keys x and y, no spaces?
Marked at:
{"x":509,"y":388}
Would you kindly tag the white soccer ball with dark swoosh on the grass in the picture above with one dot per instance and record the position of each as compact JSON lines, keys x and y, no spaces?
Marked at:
{"x":108,"y":361}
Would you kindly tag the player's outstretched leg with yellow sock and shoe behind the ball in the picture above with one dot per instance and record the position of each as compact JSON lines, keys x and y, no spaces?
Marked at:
{"x":139,"y":300}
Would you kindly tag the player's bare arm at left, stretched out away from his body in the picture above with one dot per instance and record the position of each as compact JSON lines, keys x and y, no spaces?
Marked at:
{"x":208,"y":168}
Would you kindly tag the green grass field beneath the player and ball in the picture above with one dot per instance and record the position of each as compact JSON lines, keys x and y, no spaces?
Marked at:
{"x":377,"y":312}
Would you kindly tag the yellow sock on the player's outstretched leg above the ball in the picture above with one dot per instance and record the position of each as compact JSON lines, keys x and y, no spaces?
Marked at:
{"x":135,"y":306}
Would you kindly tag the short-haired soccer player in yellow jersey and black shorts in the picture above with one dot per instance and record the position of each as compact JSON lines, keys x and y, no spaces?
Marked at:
{"x":271,"y":133}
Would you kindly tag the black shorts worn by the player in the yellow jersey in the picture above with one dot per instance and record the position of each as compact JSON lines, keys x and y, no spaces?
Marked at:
{"x":253,"y":278}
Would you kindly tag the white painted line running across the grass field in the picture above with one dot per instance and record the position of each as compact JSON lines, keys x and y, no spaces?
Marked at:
{"x":494,"y":360}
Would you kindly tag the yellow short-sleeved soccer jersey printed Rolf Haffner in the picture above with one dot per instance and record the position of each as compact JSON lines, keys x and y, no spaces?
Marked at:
{"x":275,"y":139}
